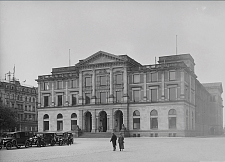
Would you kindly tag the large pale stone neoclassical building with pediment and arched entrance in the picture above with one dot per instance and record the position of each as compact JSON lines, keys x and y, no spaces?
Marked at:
{"x":105,"y":92}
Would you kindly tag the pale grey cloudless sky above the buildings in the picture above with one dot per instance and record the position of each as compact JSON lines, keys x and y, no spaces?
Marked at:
{"x":36,"y":36}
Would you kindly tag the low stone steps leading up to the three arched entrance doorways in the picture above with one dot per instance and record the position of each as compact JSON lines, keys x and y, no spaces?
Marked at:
{"x":97,"y":135}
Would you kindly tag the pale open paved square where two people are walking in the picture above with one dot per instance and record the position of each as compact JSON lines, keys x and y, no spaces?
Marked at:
{"x":136,"y":150}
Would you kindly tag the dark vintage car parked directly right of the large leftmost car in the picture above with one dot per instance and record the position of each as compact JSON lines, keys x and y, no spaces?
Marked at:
{"x":46,"y":138}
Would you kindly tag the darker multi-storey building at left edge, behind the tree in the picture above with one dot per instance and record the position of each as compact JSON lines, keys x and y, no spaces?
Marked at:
{"x":23,"y":100}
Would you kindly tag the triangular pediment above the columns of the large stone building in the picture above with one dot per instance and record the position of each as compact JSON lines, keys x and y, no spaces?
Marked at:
{"x":100,"y":57}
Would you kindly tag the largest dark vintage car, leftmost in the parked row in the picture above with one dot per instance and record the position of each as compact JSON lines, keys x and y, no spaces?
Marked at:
{"x":16,"y":139}
